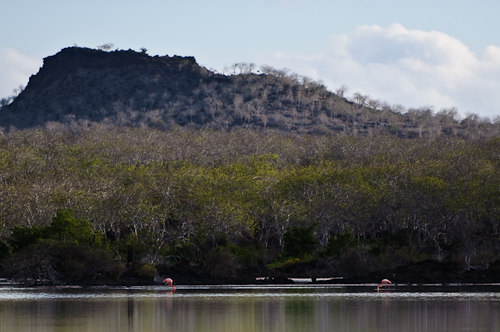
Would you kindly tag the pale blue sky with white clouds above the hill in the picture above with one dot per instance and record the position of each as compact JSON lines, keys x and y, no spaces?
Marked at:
{"x":426,"y":53}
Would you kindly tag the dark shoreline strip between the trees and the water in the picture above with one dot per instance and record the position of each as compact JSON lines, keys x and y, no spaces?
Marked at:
{"x":422,"y":273}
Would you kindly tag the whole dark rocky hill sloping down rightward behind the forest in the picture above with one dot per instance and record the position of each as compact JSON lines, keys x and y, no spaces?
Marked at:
{"x":80,"y":86}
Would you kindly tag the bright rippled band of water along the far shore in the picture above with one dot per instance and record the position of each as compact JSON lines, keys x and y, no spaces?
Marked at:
{"x":363,"y":292}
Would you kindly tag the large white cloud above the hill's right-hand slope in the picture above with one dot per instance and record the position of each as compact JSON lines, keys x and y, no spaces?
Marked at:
{"x":409,"y":67}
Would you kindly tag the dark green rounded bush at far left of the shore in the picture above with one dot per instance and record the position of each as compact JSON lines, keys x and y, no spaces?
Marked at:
{"x":64,"y":251}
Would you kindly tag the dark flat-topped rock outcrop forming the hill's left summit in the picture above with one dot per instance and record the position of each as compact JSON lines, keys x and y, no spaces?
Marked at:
{"x":79,"y":84}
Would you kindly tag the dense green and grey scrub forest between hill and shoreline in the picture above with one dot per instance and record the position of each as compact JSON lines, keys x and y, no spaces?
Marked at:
{"x":102,"y":201}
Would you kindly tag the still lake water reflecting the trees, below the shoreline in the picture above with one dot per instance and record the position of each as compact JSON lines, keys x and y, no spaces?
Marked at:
{"x":251,"y":308}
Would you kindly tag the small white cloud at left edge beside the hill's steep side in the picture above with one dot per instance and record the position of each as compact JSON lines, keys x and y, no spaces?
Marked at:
{"x":15,"y":70}
